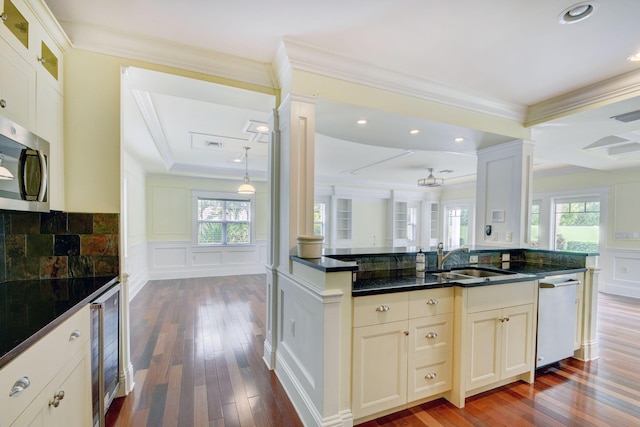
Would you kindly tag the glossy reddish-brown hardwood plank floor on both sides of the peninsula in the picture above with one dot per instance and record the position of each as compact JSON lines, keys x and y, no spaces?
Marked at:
{"x":197,"y":347}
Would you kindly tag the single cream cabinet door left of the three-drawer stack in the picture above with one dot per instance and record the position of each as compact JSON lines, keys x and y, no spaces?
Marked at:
{"x":379,"y":368}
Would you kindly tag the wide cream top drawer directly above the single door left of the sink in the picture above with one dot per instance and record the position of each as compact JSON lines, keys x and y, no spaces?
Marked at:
{"x":377,"y":309}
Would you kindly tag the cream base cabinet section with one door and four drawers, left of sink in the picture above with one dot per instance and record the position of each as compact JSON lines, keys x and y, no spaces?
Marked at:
{"x":402,"y":349}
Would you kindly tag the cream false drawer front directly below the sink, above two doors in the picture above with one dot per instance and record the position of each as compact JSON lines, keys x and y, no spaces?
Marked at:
{"x":490,"y":297}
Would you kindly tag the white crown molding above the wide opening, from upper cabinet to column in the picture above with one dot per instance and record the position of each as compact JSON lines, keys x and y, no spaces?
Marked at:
{"x":162,"y":52}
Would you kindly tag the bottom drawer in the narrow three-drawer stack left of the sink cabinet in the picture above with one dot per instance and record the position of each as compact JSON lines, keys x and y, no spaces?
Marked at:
{"x":429,"y":376}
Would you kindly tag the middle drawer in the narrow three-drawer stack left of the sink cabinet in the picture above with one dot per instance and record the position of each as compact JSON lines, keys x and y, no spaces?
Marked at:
{"x":430,"y":335}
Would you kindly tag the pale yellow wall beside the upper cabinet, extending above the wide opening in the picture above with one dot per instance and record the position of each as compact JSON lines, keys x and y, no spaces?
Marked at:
{"x":92,"y":127}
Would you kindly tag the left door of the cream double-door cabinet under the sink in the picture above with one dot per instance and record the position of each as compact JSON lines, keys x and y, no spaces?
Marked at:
{"x":485,"y":343}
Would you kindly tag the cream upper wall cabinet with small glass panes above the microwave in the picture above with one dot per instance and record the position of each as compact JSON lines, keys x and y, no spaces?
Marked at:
{"x":31,"y":87}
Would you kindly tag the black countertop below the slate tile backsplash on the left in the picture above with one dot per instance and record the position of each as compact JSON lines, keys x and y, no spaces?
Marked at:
{"x":32,"y":308}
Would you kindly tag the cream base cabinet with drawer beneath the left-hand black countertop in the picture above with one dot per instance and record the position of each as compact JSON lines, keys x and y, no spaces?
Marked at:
{"x":58,"y":362}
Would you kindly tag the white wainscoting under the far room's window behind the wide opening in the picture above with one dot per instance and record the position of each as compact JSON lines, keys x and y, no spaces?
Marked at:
{"x":179,"y":260}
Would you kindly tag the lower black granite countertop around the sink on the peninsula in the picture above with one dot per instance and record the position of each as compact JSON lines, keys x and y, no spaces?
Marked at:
{"x":521,"y":271}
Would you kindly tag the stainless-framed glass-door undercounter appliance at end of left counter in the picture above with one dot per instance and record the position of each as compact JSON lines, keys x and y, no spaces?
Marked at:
{"x":105,"y":350}
